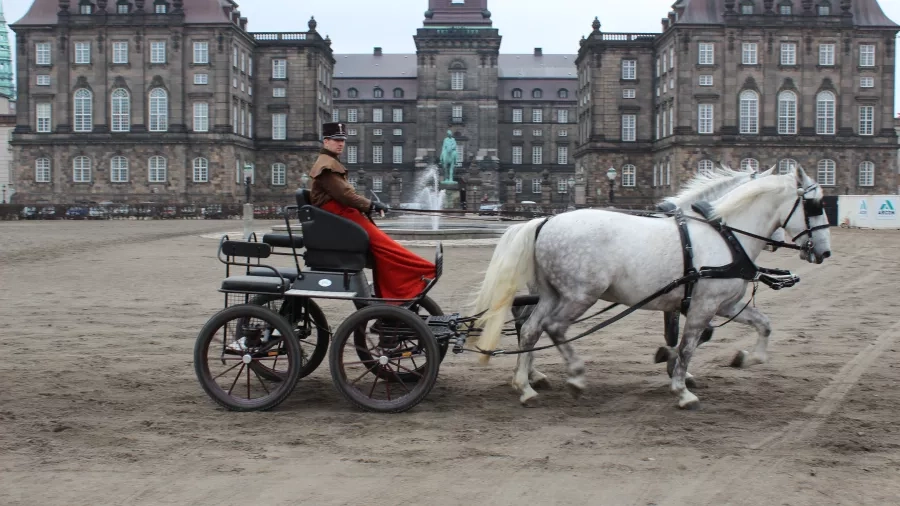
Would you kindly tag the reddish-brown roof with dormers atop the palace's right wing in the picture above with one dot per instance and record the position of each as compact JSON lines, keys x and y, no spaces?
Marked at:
{"x":702,"y":12}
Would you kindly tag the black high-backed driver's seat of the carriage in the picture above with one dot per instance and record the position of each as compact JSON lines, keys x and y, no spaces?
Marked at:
{"x":333,"y":243}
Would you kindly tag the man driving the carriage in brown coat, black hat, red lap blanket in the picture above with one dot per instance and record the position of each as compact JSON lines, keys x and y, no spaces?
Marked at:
{"x":398,"y":272}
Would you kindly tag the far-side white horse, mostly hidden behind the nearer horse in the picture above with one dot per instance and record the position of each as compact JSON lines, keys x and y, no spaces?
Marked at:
{"x":704,"y":186}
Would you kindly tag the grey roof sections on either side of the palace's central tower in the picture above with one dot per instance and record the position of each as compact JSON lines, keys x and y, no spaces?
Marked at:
{"x":525,"y":66}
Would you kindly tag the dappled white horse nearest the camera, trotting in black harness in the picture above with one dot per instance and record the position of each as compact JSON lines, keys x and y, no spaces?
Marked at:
{"x":630,"y":257}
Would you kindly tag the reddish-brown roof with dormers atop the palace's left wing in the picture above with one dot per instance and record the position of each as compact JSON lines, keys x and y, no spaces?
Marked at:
{"x":44,"y":12}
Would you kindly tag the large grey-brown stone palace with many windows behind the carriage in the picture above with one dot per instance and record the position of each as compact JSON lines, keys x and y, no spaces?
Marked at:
{"x":130,"y":100}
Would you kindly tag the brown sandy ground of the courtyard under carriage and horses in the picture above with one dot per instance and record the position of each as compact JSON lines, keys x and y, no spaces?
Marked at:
{"x":100,"y":404}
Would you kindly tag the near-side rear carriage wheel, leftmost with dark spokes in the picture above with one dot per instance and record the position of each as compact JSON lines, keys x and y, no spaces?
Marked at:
{"x":228,"y":346}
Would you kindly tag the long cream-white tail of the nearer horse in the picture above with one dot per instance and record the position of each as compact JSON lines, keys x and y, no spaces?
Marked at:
{"x":511,"y":267}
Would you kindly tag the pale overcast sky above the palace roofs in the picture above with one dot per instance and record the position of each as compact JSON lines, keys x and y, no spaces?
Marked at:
{"x":356,"y":26}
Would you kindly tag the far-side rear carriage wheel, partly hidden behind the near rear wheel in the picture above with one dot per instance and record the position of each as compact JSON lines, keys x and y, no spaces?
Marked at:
{"x":306,"y":324}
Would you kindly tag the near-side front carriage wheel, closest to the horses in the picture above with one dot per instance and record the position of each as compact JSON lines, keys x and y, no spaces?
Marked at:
{"x":377,"y":383}
